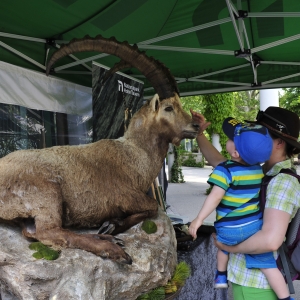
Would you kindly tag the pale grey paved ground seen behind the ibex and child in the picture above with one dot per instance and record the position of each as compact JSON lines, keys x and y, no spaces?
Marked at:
{"x":185,"y":200}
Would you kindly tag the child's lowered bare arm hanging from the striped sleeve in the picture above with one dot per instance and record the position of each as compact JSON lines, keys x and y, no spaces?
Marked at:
{"x":210,"y":204}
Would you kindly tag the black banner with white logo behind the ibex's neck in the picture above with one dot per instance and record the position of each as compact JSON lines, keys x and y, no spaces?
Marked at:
{"x":114,"y":102}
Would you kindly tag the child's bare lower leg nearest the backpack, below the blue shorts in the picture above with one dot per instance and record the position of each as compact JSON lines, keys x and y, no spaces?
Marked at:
{"x":276,"y":282}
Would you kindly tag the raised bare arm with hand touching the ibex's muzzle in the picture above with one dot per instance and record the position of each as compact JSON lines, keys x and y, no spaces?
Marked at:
{"x":212,"y":155}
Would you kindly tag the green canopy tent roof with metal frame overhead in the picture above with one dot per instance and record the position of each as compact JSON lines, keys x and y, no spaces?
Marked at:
{"x":210,"y":46}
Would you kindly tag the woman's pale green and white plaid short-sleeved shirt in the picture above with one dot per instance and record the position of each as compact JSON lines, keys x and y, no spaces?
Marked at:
{"x":283,"y":193}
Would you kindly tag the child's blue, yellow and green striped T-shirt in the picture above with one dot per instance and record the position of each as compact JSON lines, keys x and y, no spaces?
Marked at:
{"x":240,"y":204}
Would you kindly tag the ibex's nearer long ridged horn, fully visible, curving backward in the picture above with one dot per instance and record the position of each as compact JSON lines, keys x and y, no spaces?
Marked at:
{"x":156,"y":72}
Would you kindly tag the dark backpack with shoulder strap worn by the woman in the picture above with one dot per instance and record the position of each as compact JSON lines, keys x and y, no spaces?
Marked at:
{"x":288,"y":261}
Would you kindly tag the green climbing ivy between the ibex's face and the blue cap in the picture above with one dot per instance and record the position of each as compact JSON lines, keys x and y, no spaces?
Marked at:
{"x":217,"y":108}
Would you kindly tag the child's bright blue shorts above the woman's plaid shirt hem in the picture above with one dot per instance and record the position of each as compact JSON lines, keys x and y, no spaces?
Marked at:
{"x":234,"y":235}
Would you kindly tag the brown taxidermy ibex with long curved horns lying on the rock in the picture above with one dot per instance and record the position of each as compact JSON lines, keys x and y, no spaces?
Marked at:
{"x":103,"y":182}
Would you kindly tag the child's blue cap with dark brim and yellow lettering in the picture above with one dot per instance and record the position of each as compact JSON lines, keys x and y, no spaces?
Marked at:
{"x":251,"y":140}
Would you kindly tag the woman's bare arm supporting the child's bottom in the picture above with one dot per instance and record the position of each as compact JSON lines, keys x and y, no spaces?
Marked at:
{"x":269,"y":238}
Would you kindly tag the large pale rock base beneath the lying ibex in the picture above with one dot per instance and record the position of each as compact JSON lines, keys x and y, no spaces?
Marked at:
{"x":78,"y":274}
